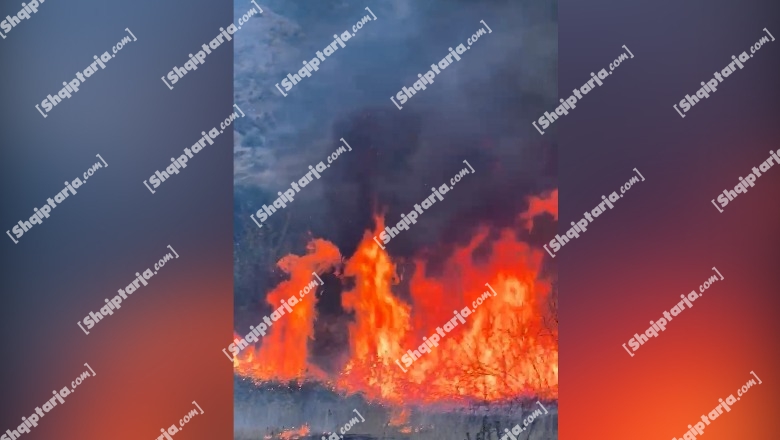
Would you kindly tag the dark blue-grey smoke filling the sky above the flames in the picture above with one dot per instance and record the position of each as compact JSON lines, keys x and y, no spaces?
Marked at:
{"x":479,"y":109}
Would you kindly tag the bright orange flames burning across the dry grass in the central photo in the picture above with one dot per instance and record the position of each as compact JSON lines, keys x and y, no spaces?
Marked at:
{"x":503,"y":351}
